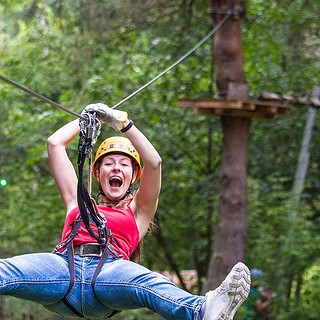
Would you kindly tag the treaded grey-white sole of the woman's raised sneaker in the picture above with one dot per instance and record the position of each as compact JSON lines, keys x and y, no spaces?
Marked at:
{"x":239,"y":291}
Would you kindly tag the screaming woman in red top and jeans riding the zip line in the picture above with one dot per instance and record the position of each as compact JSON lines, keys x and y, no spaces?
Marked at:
{"x":100,"y":289}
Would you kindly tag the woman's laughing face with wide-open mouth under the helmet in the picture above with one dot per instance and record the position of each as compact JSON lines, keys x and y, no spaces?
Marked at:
{"x":115,"y":175}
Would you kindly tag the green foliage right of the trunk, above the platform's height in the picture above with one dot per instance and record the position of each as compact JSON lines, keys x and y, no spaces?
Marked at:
{"x":280,"y":45}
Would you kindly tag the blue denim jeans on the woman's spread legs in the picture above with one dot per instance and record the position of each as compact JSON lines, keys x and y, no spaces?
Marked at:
{"x":44,"y":278}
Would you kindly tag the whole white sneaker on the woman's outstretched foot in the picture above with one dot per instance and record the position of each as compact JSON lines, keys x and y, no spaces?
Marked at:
{"x":223,"y":302}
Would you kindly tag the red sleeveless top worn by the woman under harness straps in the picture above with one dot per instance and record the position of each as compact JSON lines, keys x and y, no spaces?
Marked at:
{"x":120,"y":221}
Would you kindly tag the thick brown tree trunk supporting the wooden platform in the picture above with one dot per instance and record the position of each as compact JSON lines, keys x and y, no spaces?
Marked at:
{"x":231,"y":231}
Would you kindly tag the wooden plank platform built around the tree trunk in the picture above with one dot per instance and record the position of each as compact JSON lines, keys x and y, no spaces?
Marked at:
{"x":244,"y":109}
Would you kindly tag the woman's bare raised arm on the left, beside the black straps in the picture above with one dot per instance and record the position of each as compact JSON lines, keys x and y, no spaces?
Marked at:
{"x":61,"y":166}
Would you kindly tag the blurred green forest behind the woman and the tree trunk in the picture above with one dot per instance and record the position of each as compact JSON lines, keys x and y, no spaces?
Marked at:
{"x":80,"y":52}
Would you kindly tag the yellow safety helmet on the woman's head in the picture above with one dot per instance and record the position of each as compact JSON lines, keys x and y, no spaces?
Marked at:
{"x":117,"y":145}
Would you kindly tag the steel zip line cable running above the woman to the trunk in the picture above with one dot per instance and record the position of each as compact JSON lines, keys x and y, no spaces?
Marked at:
{"x":59,"y":106}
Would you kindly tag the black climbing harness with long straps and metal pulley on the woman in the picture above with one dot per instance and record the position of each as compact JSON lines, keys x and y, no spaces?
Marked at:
{"x":89,"y":215}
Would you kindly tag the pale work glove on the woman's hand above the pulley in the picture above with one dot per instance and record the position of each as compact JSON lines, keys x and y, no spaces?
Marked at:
{"x":114,"y":118}
